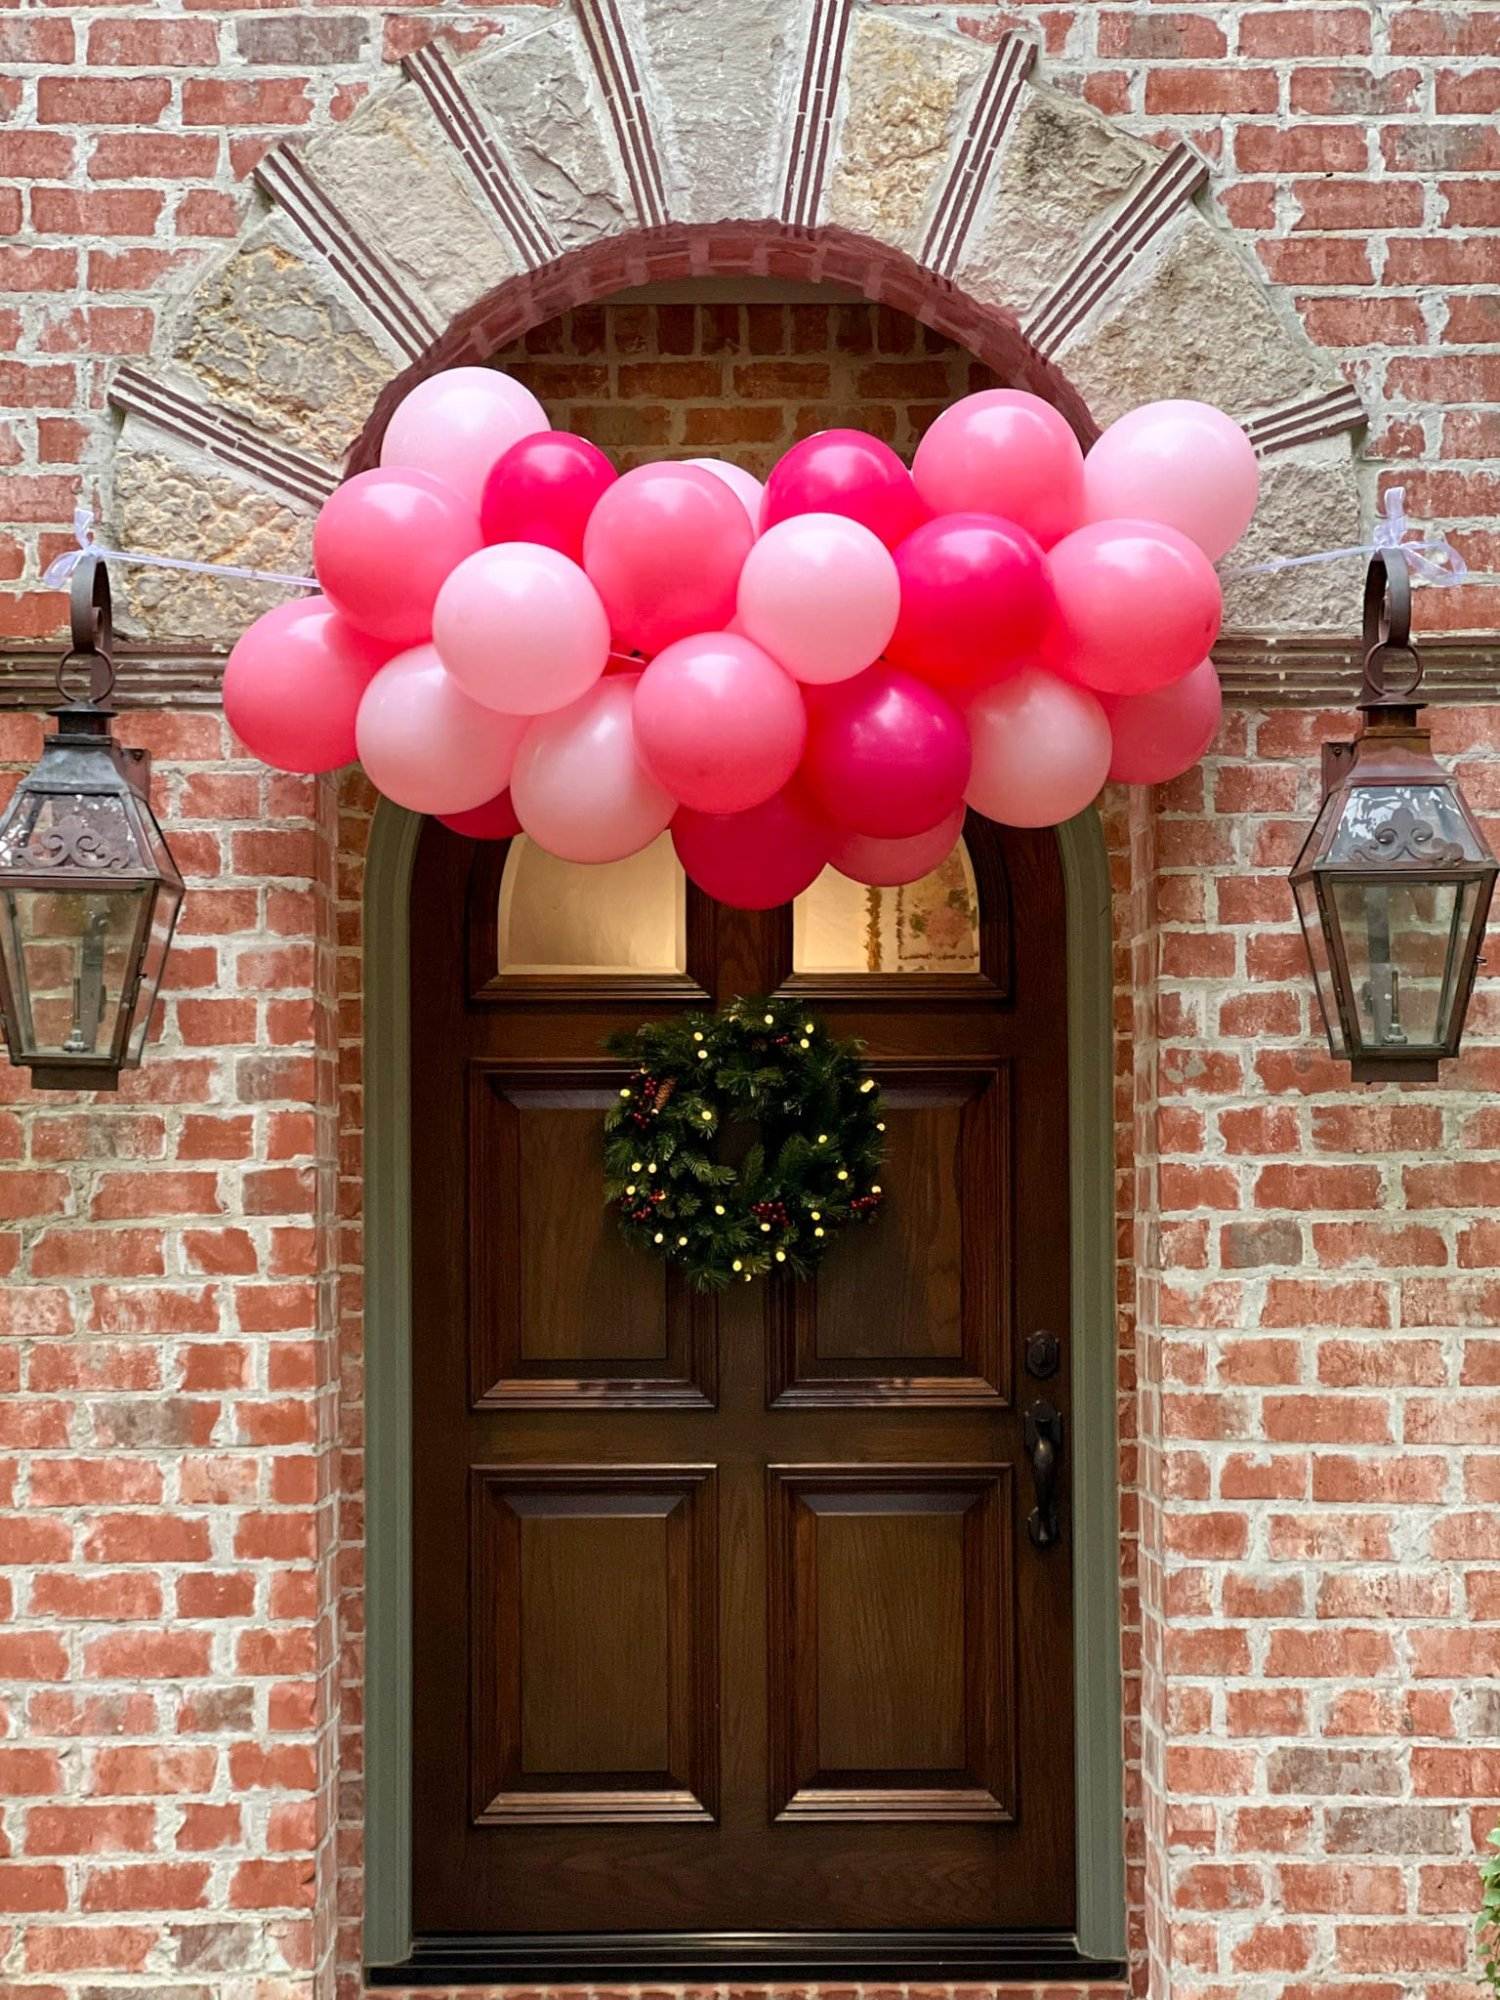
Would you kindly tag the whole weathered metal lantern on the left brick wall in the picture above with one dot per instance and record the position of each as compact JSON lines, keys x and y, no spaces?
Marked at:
{"x":89,"y":889}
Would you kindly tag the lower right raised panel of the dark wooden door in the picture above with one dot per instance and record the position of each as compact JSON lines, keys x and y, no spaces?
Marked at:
{"x":891,"y":1637}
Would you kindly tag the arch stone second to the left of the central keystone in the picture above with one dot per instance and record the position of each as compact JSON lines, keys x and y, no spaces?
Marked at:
{"x":403,"y":185}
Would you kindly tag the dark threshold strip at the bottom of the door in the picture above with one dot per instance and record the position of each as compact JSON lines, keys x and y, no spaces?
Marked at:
{"x":745,"y":1957}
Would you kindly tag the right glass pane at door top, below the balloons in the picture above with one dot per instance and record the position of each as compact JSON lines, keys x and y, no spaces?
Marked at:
{"x":923,"y":927}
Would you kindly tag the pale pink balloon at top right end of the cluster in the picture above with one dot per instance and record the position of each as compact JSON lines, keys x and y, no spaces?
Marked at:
{"x":1179,"y":463}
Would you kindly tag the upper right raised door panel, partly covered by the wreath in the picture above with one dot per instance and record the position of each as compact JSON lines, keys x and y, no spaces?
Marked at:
{"x":915,"y":1311}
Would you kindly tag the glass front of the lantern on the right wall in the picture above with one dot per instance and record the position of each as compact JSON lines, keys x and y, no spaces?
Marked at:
{"x":1403,"y":943}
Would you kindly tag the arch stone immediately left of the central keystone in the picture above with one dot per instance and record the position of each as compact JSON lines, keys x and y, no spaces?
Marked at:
{"x":545,"y":107}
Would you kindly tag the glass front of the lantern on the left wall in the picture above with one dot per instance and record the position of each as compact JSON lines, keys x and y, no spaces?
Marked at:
{"x":67,"y":959}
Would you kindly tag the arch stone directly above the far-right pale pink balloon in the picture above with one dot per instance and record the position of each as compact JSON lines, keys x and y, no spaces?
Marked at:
{"x":1193,"y":319}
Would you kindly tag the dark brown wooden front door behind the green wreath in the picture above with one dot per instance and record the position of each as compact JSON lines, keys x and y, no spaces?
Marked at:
{"x":727,"y":1617}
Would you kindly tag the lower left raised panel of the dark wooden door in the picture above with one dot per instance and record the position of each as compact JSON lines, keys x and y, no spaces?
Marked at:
{"x":593,"y":1645}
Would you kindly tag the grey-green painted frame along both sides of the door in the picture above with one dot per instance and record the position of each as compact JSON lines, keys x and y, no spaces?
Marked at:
{"x":1099,"y":1759}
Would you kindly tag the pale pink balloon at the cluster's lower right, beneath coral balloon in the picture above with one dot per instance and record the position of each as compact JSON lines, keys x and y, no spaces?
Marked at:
{"x":1041,"y":749}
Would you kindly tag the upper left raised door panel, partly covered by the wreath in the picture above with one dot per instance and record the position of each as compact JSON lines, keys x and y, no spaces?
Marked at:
{"x":561,"y":1307}
